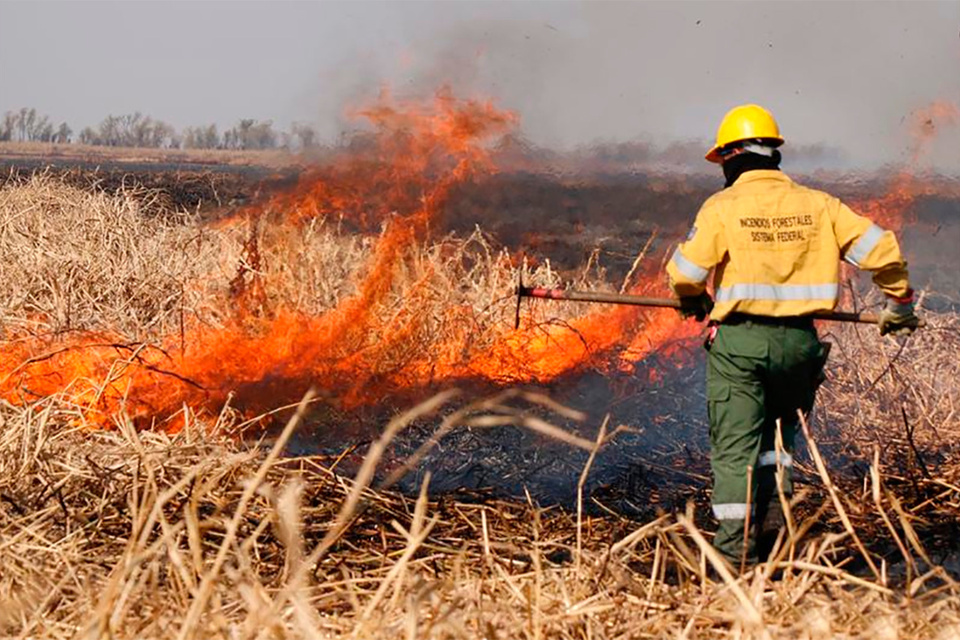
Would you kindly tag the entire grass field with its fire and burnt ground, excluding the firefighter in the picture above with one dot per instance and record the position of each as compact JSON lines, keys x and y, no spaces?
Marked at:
{"x":303,"y":410}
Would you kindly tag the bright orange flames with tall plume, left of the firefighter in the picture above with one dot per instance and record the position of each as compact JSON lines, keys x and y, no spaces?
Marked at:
{"x":397,"y":179}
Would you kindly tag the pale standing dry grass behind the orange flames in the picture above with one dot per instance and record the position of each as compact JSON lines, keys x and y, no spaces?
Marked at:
{"x":83,"y":260}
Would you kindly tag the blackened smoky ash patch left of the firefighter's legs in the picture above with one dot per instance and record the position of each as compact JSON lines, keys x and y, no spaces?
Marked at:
{"x":657,"y":461}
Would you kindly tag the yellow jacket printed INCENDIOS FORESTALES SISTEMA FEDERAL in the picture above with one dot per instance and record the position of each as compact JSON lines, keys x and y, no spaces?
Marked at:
{"x":776,"y":247}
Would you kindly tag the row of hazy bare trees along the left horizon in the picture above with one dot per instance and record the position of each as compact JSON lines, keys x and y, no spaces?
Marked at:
{"x":139,"y":130}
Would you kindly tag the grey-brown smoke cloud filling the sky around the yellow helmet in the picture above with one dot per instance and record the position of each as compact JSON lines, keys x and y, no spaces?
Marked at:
{"x":844,"y":79}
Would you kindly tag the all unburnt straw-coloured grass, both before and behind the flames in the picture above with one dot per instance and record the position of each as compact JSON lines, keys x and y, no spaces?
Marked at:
{"x":128,"y":534}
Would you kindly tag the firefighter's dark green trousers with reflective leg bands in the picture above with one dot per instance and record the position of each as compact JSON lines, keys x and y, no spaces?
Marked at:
{"x":758,"y":375}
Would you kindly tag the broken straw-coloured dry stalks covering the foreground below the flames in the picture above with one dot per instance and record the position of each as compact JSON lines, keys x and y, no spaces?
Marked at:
{"x":140,"y":535}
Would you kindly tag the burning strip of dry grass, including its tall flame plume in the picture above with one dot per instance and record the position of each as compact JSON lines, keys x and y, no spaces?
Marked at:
{"x":336,"y":282}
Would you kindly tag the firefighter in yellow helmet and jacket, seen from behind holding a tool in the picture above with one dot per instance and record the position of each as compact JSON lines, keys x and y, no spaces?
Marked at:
{"x":775,"y":248}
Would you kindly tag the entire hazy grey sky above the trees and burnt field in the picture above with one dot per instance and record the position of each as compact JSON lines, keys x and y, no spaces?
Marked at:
{"x":848,"y":74}
